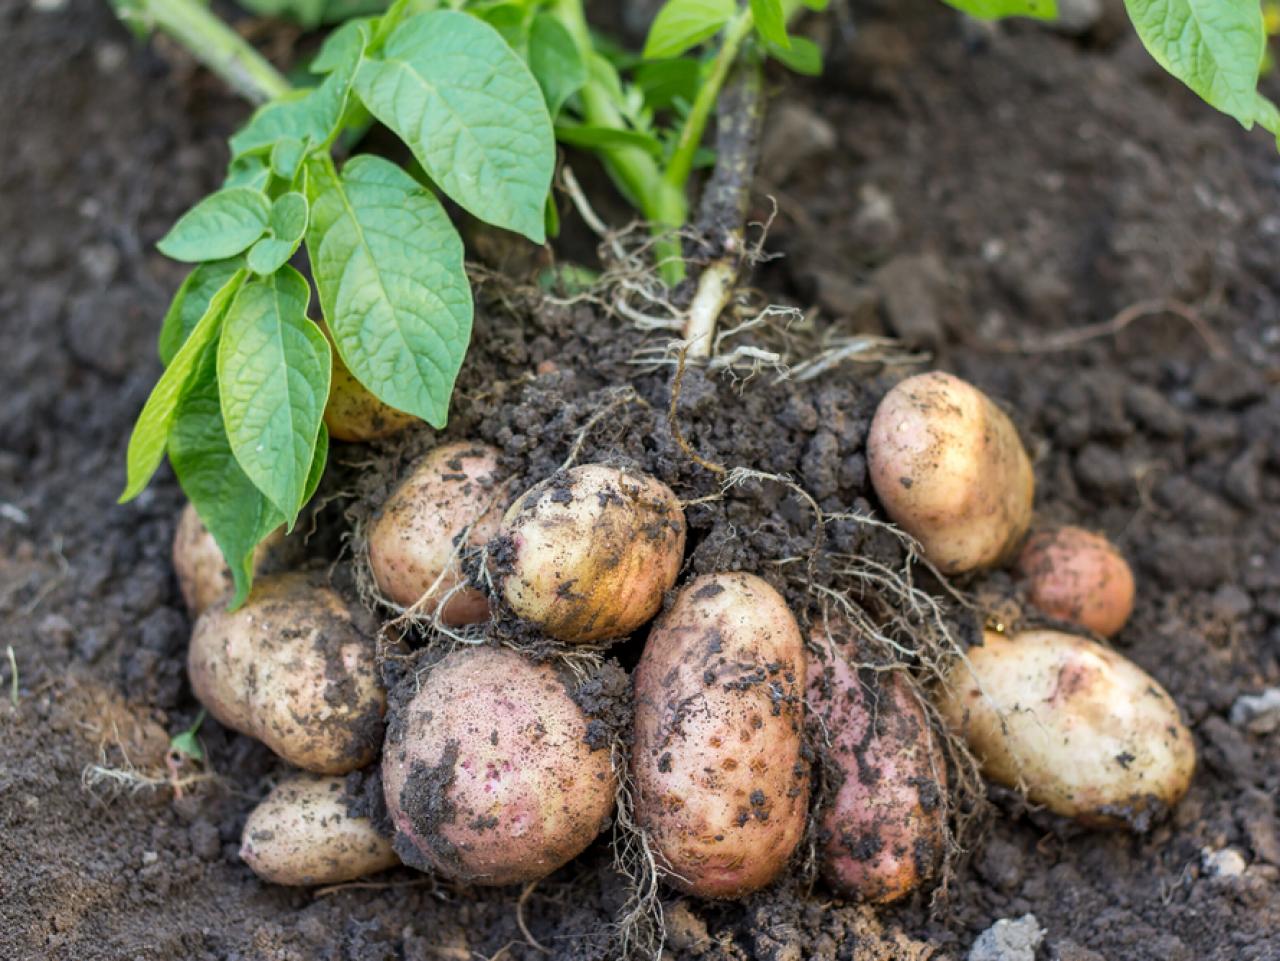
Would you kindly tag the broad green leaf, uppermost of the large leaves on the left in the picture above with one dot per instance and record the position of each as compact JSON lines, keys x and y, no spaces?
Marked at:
{"x":472,"y":113}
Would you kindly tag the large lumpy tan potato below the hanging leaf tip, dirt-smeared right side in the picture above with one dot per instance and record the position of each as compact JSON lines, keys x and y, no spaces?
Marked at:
{"x":291,"y":670}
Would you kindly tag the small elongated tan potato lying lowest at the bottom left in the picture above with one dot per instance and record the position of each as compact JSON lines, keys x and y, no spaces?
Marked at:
{"x":301,"y":834}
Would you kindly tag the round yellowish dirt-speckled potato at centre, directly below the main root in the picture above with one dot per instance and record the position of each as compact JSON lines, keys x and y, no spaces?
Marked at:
{"x":588,"y":555}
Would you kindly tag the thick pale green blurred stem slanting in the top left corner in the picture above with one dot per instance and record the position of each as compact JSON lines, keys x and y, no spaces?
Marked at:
{"x":209,"y":40}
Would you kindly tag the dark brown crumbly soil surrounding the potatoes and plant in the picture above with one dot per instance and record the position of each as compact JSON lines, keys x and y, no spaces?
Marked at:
{"x":975,"y":193}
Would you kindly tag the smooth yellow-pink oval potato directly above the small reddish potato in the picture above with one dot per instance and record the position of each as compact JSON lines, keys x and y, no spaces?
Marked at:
{"x":950,"y":470}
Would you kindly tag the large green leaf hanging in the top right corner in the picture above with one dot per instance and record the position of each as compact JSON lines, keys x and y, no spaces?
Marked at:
{"x":1214,"y":47}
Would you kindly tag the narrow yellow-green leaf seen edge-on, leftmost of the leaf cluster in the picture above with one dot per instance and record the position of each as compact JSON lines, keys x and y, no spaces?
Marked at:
{"x":152,"y":432}
